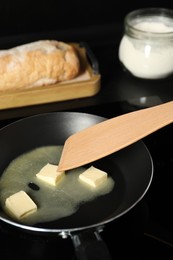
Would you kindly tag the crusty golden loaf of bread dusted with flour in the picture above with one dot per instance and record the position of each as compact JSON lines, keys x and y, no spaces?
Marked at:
{"x":37,"y":63}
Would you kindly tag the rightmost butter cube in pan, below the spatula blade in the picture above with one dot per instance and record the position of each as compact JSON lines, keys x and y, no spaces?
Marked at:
{"x":93,"y":176}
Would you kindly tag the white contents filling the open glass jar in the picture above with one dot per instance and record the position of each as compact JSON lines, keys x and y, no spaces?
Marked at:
{"x":150,"y":55}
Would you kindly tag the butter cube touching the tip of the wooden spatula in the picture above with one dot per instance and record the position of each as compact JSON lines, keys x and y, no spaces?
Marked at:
{"x":50,"y":174}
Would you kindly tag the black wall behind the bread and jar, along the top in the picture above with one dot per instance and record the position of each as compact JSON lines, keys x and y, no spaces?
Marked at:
{"x":25,"y":16}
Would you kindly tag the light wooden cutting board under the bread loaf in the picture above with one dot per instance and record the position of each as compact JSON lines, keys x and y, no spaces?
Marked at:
{"x":85,"y":85}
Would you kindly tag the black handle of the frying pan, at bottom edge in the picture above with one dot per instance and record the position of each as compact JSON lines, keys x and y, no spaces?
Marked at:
{"x":89,"y":245}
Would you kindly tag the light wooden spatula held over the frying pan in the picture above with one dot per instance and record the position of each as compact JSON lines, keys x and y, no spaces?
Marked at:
{"x":112,"y":135}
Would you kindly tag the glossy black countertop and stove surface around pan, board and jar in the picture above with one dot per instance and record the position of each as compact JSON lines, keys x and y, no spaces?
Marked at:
{"x":119,"y":93}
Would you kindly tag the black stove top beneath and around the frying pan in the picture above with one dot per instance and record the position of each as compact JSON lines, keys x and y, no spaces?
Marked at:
{"x":146,"y":230}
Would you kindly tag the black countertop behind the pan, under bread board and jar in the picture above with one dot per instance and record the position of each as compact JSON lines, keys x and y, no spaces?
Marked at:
{"x":116,"y":84}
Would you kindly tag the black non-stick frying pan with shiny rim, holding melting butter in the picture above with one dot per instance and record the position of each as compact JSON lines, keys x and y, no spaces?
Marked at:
{"x":131,"y":168}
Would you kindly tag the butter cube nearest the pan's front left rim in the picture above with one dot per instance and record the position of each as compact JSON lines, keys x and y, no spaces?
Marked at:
{"x":20,"y":204}
